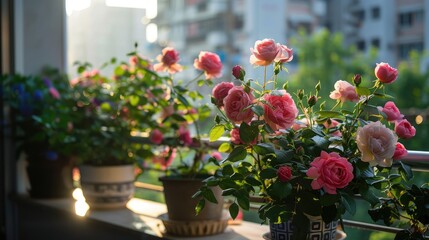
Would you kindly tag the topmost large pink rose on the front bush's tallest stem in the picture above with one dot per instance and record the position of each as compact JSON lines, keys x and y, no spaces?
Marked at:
{"x":264,"y":52}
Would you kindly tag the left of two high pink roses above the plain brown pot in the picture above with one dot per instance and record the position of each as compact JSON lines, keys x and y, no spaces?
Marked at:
{"x":168,"y":61}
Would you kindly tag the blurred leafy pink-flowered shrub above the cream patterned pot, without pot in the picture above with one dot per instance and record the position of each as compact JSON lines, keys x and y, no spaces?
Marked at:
{"x":109,"y":108}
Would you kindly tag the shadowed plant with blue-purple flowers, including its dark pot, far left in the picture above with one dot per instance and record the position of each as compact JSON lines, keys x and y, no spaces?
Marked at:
{"x":38,"y":106}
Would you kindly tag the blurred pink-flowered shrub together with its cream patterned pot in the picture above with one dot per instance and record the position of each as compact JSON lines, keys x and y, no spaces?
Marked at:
{"x":109,"y":110}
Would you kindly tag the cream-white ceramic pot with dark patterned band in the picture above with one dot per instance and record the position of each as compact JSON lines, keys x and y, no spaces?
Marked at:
{"x":106,"y":187}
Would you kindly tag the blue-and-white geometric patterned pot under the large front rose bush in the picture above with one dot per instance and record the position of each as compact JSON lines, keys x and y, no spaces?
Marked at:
{"x":318,"y":230}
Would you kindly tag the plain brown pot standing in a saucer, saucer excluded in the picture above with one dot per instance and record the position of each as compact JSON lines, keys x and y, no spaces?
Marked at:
{"x":180,"y":204}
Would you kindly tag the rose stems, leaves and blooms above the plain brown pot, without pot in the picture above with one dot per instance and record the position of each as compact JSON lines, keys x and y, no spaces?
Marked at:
{"x":180,"y":113}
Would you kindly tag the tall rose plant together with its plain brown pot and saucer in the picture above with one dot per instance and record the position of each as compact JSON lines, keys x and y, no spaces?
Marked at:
{"x":181,"y":113}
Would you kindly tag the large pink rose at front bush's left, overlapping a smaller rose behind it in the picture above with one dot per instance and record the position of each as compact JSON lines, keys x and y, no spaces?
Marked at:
{"x":236,"y":105}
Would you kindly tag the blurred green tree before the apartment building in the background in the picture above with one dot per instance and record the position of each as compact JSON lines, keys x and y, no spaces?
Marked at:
{"x":323,"y":57}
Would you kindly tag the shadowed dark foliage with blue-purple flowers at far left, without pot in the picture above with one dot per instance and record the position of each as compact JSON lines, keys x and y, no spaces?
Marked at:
{"x":39,"y":109}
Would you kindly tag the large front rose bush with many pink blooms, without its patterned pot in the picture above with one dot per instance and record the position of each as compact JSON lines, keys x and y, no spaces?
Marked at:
{"x":304,"y":159}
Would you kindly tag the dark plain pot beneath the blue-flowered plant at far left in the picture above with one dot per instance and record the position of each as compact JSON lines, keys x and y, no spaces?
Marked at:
{"x":50,"y":179}
